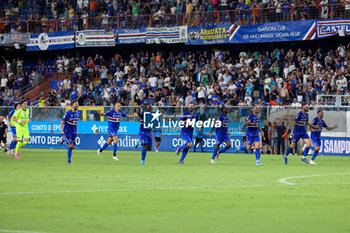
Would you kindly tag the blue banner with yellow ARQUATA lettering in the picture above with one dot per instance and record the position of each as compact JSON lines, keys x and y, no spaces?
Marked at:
{"x":211,"y":34}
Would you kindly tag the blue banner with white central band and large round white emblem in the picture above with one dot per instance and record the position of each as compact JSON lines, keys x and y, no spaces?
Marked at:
{"x":51,"y":40}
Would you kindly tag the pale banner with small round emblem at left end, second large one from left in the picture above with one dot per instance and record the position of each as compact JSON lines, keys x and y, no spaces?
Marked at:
{"x":94,"y":38}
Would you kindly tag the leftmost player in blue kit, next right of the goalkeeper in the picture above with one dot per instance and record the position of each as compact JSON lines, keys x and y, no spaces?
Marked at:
{"x":69,"y":127}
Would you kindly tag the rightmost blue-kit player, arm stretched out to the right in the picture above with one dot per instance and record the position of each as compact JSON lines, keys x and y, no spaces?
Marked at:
{"x":316,"y":134}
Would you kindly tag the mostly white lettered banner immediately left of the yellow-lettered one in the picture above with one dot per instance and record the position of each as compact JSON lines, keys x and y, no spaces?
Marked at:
{"x":167,"y":35}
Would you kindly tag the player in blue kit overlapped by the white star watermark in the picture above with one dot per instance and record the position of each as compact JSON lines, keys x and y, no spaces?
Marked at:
{"x":145,"y":135}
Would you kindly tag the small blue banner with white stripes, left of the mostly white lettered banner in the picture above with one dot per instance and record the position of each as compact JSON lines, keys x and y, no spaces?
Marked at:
{"x":131,"y":36}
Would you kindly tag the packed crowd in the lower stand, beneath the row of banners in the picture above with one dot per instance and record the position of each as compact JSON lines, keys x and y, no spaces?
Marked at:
{"x":208,"y":78}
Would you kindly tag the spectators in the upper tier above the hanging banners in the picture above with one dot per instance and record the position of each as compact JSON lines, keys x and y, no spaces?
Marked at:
{"x":79,"y":14}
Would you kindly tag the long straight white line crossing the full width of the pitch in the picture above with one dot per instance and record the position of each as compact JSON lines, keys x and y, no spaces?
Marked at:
{"x":168,"y":188}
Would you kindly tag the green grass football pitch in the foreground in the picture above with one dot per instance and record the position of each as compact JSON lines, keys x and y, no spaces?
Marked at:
{"x":41,"y":193}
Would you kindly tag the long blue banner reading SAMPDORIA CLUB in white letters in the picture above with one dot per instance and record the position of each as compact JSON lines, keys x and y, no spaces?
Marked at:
{"x":275,"y":32}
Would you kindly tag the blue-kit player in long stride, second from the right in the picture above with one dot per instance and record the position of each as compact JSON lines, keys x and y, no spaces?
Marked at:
{"x":299,"y":131}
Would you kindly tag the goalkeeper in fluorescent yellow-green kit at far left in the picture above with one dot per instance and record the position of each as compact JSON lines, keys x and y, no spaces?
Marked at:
{"x":21,"y":117}
